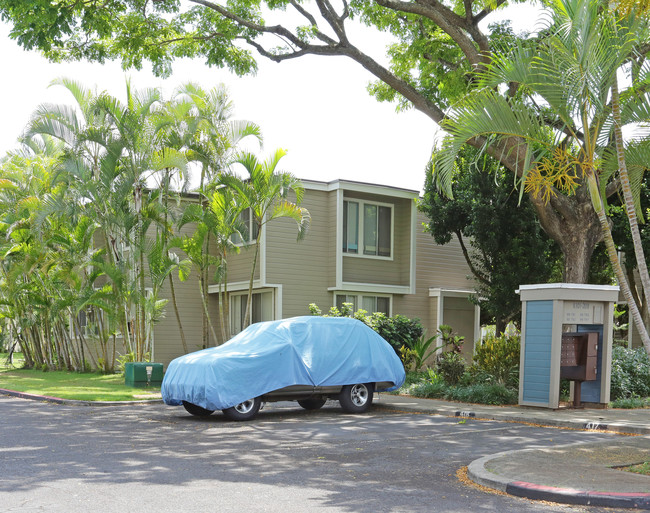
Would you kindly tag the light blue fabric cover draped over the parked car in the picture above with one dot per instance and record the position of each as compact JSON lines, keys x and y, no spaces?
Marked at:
{"x":267,"y":356}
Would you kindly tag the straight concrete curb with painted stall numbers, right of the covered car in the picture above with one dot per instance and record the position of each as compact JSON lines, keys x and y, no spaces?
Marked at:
{"x":565,"y":423}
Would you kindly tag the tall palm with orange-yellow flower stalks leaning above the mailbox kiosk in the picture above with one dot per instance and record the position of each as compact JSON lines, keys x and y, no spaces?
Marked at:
{"x":560,"y":112}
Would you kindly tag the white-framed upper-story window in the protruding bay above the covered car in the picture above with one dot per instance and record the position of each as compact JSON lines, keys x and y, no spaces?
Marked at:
{"x":367,"y":228}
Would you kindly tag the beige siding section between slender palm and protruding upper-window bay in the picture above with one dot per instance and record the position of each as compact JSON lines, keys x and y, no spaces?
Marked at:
{"x":303,"y":267}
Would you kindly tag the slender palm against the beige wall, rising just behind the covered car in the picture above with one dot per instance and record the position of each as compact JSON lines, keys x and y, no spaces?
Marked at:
{"x":265,"y":193}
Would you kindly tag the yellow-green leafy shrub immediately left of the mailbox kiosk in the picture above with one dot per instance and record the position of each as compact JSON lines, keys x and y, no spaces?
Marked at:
{"x":498,"y":358}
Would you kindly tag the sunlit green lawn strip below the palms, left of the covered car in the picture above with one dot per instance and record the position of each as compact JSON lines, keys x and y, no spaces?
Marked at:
{"x":70,"y":385}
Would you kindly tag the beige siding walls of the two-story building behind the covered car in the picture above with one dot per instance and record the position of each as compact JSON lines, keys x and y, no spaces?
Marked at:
{"x":305,"y":272}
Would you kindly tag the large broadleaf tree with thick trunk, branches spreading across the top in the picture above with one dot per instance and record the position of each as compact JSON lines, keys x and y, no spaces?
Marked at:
{"x":440,"y":48}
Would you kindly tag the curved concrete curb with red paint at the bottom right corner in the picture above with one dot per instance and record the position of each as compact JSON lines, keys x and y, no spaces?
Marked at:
{"x":477,"y":471}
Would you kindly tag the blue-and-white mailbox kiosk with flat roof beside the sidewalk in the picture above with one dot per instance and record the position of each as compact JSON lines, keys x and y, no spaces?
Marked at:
{"x":556,"y":319}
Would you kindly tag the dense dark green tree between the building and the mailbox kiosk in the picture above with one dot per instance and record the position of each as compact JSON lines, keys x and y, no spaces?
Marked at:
{"x":502,"y":240}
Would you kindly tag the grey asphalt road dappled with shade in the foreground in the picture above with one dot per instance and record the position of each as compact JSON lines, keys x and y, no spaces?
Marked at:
{"x":154,"y":458}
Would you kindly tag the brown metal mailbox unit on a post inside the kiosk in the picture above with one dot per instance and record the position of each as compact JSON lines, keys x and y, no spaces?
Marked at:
{"x":579,"y":360}
